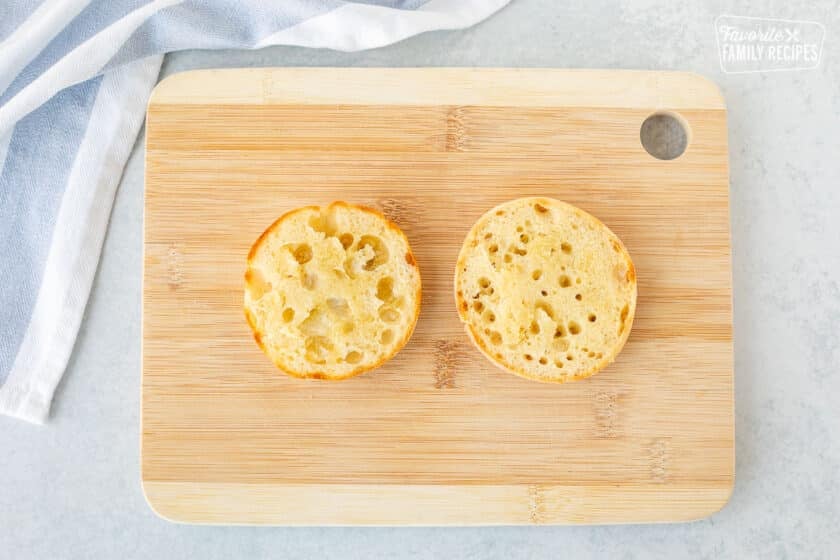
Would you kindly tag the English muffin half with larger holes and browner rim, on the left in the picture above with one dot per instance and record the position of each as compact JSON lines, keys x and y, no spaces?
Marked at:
{"x":331,"y":292}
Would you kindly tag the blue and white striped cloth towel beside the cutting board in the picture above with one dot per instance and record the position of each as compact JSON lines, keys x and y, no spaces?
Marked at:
{"x":74,"y":79}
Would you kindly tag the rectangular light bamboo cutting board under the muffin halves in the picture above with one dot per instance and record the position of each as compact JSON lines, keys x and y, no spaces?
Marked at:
{"x":438,"y":435}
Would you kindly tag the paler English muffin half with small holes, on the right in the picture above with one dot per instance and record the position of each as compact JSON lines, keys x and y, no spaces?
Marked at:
{"x":545,"y":290}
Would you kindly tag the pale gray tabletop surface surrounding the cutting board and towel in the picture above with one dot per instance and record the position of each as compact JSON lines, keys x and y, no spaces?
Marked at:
{"x":71,"y":489}
